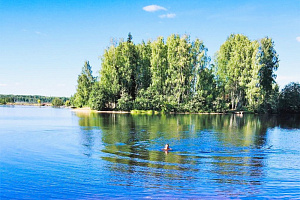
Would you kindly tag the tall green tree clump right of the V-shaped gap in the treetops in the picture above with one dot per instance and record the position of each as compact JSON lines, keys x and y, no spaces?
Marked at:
{"x":246,"y":72}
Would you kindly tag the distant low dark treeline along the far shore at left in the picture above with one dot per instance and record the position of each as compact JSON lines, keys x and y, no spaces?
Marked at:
{"x":30,"y":99}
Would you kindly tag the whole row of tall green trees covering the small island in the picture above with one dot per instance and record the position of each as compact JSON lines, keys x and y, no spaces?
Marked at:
{"x":177,"y":75}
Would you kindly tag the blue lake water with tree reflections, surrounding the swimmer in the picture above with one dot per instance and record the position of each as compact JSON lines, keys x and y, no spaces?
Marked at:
{"x":50,"y":153}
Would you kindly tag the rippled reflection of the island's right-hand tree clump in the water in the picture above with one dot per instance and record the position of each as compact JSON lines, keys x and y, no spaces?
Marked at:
{"x":242,"y":163}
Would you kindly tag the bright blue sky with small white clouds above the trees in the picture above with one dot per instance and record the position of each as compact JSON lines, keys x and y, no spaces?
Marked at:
{"x":43,"y":44}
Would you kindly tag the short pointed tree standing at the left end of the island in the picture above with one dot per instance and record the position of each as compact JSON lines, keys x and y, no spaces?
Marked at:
{"x":85,"y":82}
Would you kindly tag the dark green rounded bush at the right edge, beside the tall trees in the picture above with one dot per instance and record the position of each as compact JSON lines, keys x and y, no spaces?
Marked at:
{"x":289,"y":99}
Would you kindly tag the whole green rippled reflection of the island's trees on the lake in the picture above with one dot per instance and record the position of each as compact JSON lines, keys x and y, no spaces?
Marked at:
{"x":225,"y":149}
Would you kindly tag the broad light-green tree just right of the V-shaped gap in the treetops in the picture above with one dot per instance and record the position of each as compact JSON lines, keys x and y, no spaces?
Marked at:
{"x":234,"y":65}
